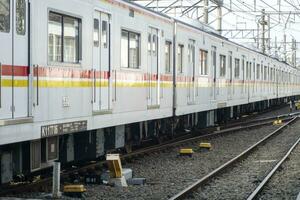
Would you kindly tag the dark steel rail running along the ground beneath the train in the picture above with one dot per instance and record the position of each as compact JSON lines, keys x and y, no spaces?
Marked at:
{"x":155,"y":148}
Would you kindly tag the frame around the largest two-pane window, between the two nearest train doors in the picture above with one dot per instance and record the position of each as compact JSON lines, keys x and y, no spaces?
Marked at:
{"x":79,"y":39}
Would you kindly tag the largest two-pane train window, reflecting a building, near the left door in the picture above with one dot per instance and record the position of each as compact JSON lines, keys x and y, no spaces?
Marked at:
{"x":63,"y":38}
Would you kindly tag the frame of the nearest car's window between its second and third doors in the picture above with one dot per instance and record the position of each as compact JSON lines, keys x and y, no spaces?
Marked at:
{"x":128,"y":48}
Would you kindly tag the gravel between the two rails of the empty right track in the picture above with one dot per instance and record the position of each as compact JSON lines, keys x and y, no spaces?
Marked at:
{"x":240,"y":180}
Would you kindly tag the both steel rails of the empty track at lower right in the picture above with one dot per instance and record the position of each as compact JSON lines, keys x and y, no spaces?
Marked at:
{"x":189,"y":190}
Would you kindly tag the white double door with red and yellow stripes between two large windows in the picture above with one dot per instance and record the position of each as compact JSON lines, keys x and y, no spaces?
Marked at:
{"x":101,"y":62}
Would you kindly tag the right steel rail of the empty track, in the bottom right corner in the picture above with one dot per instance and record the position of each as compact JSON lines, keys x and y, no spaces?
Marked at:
{"x":272,"y":172}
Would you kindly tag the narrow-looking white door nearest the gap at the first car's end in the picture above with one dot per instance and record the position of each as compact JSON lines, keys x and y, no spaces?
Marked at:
{"x":153,"y":72}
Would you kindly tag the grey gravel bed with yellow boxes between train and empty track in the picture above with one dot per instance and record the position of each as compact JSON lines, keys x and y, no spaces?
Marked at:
{"x":167,"y":174}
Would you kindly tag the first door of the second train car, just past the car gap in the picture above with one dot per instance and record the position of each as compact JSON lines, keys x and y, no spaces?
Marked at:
{"x":191,"y":71}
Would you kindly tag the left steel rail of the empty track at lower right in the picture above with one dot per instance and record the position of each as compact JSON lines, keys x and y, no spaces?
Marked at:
{"x":212,"y":174}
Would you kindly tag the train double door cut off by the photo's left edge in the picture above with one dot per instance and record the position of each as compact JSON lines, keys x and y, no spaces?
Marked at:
{"x":13,"y":59}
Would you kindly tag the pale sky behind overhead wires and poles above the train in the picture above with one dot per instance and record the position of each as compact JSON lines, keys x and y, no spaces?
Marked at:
{"x":244,"y":14}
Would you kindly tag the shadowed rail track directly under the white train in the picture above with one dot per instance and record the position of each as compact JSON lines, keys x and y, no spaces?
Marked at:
{"x":45,"y":183}
